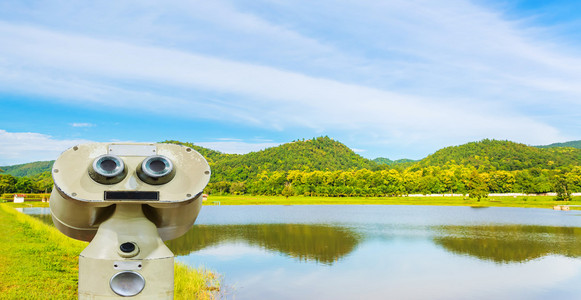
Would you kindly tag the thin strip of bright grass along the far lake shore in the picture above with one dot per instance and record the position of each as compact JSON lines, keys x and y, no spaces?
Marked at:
{"x":504,"y":201}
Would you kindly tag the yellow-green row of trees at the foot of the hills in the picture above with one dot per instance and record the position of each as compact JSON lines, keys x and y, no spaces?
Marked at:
{"x":453,"y":179}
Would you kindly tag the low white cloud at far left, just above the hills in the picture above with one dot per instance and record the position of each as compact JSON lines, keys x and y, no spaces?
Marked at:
{"x":25,"y":147}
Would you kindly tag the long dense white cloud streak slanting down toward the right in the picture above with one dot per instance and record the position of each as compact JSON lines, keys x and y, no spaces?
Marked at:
{"x":263,"y":95}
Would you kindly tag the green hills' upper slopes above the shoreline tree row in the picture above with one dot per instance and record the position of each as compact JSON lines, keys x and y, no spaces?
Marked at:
{"x":326,"y":154}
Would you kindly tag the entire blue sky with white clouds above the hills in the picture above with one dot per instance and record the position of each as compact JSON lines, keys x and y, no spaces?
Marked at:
{"x":395,"y":79}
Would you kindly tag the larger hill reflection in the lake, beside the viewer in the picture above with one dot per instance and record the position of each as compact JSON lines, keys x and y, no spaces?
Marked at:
{"x":320,"y":243}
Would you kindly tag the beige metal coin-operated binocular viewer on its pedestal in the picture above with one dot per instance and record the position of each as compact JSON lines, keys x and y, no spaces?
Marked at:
{"x":126,"y":199}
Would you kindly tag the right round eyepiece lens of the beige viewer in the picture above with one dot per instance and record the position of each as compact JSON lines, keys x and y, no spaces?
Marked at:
{"x":156,"y":169}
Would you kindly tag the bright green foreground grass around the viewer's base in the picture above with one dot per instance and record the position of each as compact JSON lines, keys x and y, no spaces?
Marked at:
{"x":39,"y":262}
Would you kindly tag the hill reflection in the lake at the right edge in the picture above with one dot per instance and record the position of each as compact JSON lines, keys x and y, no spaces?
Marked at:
{"x":510,"y":243}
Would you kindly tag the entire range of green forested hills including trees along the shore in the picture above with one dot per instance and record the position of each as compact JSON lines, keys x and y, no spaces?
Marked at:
{"x":325,"y":167}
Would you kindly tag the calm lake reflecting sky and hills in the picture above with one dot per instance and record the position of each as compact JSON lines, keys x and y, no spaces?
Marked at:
{"x":386,"y":252}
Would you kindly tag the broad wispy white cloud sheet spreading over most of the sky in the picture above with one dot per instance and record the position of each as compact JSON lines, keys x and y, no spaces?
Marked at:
{"x":399,"y":72}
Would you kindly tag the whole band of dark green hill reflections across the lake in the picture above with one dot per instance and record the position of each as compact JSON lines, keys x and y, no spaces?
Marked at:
{"x":327,"y":244}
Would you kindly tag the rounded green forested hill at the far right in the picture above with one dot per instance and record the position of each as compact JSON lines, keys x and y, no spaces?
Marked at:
{"x":504,"y":155}
